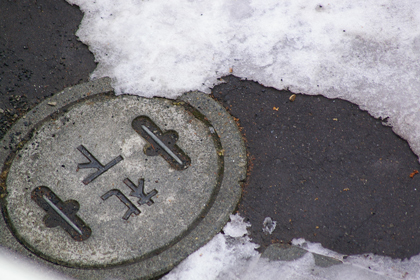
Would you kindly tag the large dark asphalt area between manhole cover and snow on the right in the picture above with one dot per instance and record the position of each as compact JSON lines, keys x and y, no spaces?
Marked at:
{"x":325,"y":171}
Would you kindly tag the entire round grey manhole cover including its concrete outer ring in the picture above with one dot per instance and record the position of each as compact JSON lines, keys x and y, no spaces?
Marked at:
{"x":125,"y":183}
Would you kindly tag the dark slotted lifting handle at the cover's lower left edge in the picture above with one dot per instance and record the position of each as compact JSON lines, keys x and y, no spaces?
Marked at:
{"x":61,"y":213}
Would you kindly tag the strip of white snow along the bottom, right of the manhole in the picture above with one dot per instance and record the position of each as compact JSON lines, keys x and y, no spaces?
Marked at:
{"x":233,"y":258}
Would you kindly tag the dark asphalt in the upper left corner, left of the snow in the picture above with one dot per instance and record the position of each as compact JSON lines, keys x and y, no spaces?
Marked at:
{"x":39,"y":54}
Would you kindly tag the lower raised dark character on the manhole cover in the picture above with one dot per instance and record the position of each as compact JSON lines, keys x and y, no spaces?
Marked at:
{"x":136,"y":191}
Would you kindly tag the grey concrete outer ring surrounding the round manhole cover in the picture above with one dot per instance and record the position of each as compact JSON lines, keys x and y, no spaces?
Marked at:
{"x":218,"y":214}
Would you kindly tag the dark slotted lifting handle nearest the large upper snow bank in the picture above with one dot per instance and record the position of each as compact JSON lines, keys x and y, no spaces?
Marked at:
{"x":163,"y":144}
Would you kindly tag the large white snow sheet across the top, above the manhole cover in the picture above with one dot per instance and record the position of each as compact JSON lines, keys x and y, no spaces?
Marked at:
{"x":367,"y":52}
